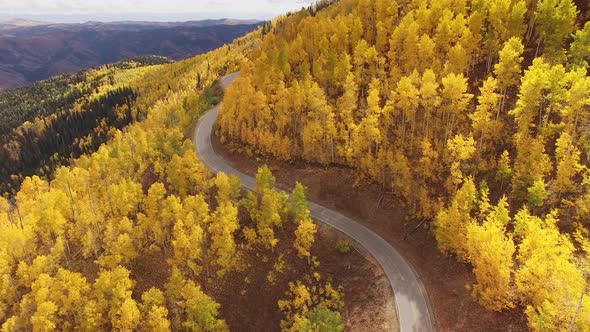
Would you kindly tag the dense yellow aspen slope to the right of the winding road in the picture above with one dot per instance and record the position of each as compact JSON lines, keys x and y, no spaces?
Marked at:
{"x":474,"y":114}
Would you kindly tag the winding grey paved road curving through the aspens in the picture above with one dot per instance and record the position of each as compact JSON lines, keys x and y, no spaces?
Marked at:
{"x":413,"y":308}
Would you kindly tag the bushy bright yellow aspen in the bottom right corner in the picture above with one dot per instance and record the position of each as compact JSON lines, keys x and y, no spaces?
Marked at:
{"x":547,"y":280}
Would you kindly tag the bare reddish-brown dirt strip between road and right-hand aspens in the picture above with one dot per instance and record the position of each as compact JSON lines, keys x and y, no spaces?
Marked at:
{"x":445,"y":279}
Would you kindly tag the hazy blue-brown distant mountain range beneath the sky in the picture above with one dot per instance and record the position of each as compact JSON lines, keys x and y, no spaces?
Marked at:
{"x":32,"y":50}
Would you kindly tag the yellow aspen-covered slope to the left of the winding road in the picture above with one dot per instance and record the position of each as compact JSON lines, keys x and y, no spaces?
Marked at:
{"x":137,"y":235}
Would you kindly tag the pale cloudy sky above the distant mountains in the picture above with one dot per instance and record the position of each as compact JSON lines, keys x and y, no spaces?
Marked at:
{"x":72,"y":11}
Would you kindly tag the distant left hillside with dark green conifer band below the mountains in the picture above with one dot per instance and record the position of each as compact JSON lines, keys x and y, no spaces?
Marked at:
{"x":52,"y":122}
